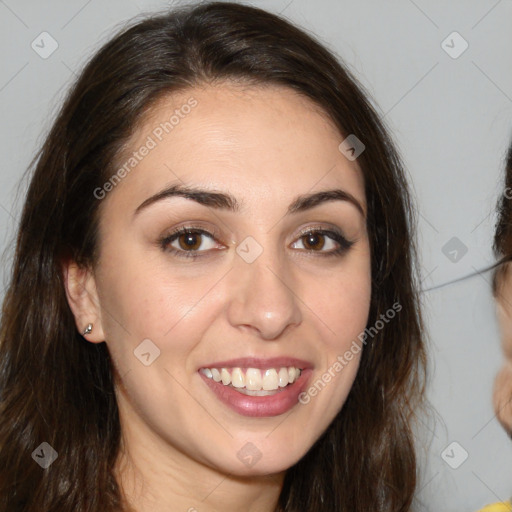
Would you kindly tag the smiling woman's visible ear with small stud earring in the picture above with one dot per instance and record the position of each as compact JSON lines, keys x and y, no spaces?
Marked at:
{"x":82,"y":296}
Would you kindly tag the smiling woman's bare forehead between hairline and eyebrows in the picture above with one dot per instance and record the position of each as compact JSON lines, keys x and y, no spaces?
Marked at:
{"x":259,"y":140}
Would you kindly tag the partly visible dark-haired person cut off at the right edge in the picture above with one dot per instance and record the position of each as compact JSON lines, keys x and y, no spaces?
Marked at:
{"x":501,"y":286}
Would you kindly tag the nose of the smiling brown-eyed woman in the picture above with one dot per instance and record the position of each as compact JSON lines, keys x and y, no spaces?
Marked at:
{"x":262,"y":296}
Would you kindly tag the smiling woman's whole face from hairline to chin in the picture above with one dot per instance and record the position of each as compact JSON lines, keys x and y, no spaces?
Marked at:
{"x":256,"y":299}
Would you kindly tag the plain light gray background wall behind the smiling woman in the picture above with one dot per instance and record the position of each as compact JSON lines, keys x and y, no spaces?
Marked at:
{"x":451,"y":118}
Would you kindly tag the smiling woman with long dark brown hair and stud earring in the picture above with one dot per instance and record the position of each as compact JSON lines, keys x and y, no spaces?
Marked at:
{"x":214,"y":296}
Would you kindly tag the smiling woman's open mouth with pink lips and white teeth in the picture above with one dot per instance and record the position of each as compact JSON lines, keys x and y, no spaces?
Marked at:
{"x":258,"y":387}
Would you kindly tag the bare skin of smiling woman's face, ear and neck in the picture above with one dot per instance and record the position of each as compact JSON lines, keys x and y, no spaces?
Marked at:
{"x":265,"y":145}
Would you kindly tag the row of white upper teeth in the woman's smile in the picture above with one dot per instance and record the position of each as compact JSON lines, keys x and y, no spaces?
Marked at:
{"x":250,"y":381}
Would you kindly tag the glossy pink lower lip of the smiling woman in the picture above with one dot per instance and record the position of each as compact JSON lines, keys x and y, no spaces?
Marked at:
{"x":260,"y":406}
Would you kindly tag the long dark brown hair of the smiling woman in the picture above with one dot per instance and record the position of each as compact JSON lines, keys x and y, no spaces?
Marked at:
{"x":57,"y":388}
